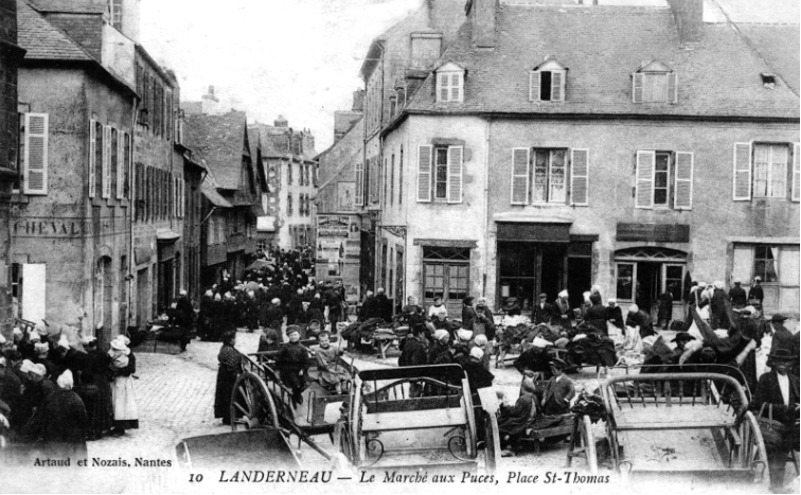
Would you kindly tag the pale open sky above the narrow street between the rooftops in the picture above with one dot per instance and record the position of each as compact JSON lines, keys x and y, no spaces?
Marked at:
{"x":296,"y":58}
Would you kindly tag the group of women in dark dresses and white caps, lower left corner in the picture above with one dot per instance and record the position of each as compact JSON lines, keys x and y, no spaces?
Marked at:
{"x":58,"y":396}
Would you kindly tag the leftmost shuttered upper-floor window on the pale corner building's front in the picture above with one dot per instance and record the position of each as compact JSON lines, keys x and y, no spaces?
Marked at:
{"x":440,"y":174}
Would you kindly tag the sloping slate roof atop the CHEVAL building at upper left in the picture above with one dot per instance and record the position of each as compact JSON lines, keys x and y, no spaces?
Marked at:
{"x":42,"y":40}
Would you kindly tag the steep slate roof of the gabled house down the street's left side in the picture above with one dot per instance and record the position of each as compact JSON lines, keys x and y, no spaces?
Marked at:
{"x":219,"y":142}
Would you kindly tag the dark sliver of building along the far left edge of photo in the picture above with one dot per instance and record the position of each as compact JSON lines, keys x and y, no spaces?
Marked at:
{"x":10,"y":57}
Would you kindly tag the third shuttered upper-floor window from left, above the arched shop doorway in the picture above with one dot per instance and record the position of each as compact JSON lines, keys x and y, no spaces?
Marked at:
{"x":664,"y":179}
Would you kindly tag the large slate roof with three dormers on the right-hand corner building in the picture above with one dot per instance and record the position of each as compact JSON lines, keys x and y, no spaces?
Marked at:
{"x":601,"y":46}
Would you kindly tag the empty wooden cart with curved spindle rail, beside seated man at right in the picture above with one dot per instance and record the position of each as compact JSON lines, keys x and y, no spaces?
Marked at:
{"x":694,"y":424}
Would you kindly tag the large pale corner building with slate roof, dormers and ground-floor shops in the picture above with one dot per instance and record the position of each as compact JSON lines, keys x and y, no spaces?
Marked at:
{"x":634,"y":148}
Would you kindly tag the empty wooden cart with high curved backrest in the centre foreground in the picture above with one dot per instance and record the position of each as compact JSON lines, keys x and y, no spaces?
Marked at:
{"x":416,"y":417}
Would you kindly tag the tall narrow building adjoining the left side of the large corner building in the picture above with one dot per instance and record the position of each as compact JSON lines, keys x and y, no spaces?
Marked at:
{"x":395,"y":65}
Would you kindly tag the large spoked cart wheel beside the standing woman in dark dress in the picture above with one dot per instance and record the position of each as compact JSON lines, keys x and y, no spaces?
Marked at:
{"x":252,"y":403}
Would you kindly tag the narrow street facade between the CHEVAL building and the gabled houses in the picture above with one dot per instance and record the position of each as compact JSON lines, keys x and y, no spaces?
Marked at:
{"x":159,"y":189}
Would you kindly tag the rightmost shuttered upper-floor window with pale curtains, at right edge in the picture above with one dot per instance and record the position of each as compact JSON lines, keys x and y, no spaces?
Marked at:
{"x":766,"y":170}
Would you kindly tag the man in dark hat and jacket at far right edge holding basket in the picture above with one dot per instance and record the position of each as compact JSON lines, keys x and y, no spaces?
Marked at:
{"x":777,"y":397}
